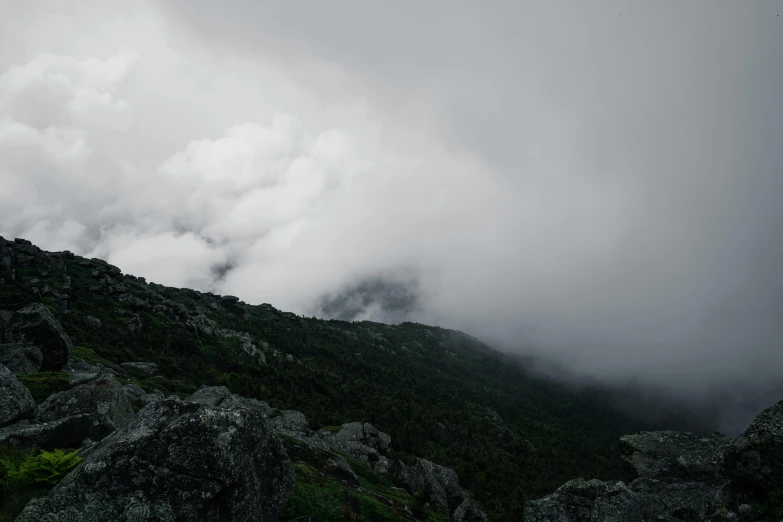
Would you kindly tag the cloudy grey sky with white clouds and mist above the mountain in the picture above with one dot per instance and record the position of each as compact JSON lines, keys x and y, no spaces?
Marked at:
{"x":597,"y":184}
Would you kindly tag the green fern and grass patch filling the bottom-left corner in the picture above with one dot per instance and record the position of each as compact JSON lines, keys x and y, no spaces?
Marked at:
{"x":24,"y":476}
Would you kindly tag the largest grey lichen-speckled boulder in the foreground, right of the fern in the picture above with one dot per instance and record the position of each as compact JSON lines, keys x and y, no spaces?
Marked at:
{"x":177,"y":461}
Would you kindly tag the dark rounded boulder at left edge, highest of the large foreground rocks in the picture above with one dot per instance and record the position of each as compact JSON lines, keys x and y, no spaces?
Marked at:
{"x":36,"y":325}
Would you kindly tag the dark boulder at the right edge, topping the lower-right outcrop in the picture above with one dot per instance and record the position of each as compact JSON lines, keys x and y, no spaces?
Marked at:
{"x":757,"y":456}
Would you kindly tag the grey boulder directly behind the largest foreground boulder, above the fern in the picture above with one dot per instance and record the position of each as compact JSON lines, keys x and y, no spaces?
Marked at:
{"x":103,"y":399}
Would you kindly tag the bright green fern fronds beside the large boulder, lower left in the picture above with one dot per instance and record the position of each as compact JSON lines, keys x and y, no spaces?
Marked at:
{"x":43,"y":468}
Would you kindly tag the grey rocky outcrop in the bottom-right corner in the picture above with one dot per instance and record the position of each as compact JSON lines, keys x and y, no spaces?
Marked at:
{"x":679,"y":477}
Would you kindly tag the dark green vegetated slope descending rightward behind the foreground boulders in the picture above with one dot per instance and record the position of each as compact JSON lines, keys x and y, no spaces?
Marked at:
{"x":440,"y":395}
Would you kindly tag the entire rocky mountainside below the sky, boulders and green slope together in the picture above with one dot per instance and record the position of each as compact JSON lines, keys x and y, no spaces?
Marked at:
{"x":160,"y":392}
